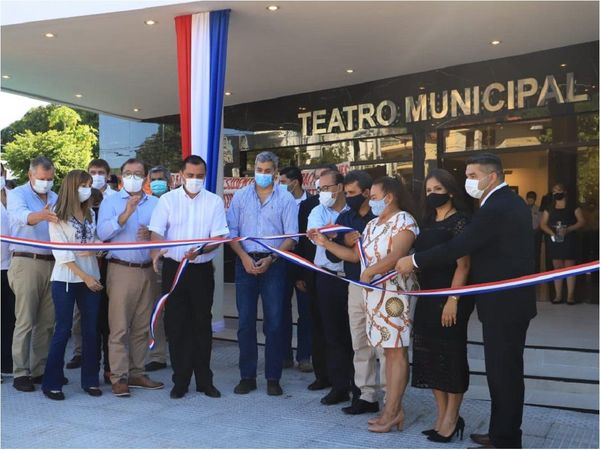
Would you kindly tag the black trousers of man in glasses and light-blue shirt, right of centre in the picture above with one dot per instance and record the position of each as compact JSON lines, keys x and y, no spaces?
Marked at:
{"x":332,"y":301}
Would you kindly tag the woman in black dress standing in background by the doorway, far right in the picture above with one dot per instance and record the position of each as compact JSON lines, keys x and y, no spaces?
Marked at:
{"x":559,"y":222}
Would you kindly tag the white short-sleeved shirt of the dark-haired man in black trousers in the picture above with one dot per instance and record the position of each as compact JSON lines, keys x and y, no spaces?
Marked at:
{"x":179,"y":216}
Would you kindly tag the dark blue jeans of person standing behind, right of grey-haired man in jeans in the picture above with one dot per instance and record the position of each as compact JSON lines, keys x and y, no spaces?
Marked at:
{"x":303,"y":330}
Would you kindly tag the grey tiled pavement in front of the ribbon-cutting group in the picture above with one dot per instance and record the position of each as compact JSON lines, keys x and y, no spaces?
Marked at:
{"x":150,"y":419}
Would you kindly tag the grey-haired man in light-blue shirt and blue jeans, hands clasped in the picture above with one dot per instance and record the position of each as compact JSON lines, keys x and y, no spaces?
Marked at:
{"x":260,"y":209}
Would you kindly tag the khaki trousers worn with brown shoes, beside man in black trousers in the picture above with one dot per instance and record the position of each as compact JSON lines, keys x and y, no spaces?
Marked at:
{"x":132,"y":292}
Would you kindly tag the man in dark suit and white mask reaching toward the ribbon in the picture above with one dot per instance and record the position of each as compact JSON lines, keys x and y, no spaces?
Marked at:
{"x":499,"y":240}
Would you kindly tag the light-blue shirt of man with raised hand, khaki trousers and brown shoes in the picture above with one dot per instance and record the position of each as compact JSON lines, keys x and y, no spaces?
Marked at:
{"x":109,"y":228}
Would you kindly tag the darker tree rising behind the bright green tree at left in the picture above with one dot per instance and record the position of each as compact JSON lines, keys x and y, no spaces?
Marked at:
{"x":36,"y":120}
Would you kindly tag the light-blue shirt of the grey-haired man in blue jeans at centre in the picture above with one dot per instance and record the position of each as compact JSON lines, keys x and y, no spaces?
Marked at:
{"x":248,"y":217}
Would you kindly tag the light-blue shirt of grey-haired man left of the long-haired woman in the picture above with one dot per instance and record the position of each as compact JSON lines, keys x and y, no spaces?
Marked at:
{"x":21,"y":202}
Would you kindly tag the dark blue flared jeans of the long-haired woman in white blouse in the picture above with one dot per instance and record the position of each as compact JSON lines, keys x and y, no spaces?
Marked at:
{"x":88,"y":303}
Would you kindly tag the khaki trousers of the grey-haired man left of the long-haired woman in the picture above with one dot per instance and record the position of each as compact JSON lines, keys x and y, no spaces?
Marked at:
{"x":29,"y":279}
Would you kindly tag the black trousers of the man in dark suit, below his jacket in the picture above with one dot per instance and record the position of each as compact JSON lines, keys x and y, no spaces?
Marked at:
{"x":504,"y":344}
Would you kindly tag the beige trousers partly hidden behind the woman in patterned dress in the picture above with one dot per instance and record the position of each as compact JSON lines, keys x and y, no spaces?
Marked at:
{"x":365,"y":356}
